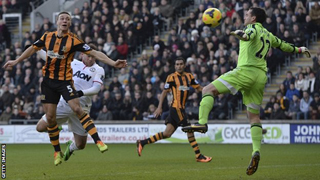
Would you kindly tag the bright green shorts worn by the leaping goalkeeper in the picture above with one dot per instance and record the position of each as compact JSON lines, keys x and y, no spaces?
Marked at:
{"x":250,"y":81}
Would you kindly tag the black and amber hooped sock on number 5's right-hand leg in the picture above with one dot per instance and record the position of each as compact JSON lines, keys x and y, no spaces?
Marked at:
{"x":89,"y":126}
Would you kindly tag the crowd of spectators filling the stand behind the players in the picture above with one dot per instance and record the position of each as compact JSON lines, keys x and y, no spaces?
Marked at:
{"x":119,"y":27}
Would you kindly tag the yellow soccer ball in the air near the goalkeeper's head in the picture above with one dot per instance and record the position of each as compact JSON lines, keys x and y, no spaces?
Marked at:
{"x":211,"y":17}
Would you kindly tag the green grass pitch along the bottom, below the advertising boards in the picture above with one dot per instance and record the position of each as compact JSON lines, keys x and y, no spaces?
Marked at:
{"x":164,"y":161}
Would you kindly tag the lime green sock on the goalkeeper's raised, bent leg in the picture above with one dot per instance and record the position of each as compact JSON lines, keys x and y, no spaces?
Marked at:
{"x":206,"y":105}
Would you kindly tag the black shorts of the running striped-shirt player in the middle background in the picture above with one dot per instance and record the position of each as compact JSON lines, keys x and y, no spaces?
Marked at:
{"x":177,"y":117}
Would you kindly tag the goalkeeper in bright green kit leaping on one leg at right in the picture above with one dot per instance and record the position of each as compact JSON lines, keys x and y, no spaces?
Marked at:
{"x":249,"y":77}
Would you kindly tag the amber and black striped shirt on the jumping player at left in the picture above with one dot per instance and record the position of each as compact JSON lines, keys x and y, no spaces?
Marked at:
{"x":60,"y":53}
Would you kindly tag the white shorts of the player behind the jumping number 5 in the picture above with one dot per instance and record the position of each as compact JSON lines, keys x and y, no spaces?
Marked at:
{"x":64,"y":114}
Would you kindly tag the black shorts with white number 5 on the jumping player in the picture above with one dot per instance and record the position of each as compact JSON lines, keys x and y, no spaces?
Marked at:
{"x":51,"y":90}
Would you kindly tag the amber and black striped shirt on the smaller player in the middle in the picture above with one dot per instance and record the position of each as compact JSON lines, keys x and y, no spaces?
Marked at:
{"x":180,"y":85}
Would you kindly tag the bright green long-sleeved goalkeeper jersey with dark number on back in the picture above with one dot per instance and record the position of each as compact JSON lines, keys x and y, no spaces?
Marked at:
{"x":254,"y":51}
